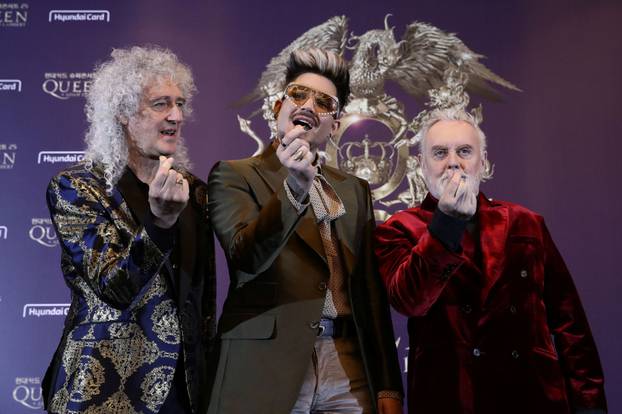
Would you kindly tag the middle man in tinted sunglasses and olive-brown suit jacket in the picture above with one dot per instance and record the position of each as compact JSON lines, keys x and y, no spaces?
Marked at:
{"x":306,"y":326}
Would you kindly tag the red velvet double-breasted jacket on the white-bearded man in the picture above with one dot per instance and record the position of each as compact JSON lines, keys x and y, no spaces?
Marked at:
{"x":494,"y":330}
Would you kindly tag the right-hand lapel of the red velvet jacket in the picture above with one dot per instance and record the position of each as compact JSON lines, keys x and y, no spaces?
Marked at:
{"x":494,"y":226}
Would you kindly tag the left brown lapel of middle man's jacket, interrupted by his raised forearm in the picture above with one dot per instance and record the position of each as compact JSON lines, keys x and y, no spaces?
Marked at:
{"x":273,"y":173}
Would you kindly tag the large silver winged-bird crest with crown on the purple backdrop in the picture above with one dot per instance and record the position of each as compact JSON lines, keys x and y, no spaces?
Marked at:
{"x":375,"y":139}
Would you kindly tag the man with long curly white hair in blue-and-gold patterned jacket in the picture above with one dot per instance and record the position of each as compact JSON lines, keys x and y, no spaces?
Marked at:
{"x":132,"y":221}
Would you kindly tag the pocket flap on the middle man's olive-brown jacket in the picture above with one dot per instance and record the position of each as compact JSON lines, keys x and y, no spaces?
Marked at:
{"x":248,"y":326}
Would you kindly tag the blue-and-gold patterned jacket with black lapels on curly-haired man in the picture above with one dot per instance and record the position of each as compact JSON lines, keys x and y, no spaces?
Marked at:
{"x":133,"y":308}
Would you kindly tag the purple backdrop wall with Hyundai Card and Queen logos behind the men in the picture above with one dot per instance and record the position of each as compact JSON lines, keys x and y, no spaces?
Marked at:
{"x":555,"y":146}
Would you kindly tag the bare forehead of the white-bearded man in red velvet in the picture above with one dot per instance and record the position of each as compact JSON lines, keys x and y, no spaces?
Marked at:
{"x":451,"y":133}
